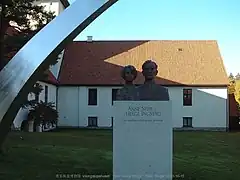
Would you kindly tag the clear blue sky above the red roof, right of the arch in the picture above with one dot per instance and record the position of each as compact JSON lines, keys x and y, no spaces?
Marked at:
{"x":173,"y":20}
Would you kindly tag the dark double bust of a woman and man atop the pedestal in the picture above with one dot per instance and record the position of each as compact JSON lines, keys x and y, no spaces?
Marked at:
{"x":149,"y":91}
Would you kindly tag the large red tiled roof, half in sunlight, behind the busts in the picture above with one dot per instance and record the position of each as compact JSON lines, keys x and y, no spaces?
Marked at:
{"x":180,"y":62}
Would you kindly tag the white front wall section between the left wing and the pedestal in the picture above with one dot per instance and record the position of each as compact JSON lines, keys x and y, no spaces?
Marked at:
{"x":74,"y":110}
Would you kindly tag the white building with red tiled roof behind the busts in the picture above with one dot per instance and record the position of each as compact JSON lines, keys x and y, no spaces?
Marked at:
{"x":84,"y":82}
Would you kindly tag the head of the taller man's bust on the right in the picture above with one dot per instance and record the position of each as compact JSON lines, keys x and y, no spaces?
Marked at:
{"x":149,"y":70}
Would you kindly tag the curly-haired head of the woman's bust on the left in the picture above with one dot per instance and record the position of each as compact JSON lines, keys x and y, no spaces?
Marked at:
{"x":129,"y":74}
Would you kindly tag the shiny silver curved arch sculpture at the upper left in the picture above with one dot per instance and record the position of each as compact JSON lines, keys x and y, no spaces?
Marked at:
{"x":25,"y":67}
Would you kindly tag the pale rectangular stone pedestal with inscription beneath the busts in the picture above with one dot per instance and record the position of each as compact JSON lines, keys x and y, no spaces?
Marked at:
{"x":142,"y":140}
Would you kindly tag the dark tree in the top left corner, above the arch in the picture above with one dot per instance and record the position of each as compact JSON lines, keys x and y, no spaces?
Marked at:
{"x":27,"y":19}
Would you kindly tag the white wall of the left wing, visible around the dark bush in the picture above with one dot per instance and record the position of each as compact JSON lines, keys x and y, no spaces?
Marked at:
{"x":22,"y":113}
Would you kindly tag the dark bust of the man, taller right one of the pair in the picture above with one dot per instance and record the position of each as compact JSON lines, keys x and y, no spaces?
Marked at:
{"x":150,"y":91}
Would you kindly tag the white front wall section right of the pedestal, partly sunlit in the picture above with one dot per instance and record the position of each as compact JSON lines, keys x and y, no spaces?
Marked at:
{"x":209,"y":107}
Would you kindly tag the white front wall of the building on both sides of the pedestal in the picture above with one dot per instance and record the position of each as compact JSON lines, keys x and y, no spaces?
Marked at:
{"x":208,"y":109}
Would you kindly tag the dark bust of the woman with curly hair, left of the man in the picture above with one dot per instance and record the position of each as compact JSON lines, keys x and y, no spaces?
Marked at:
{"x":128,"y":92}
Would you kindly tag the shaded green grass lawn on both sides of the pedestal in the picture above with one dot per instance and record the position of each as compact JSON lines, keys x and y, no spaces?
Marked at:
{"x":197,"y":155}
